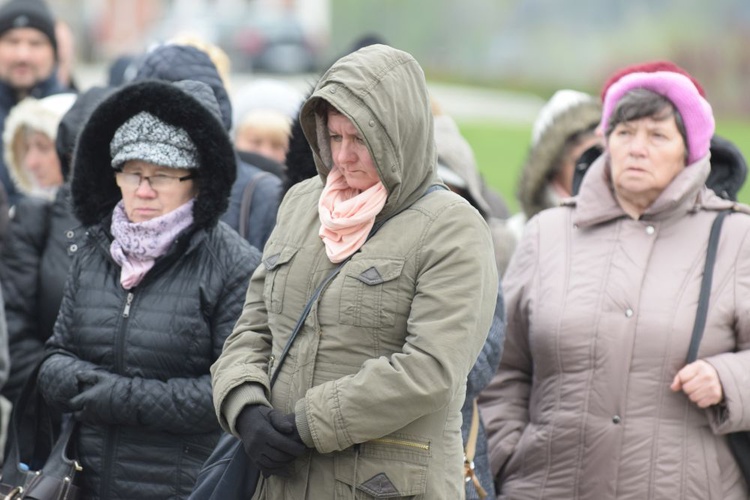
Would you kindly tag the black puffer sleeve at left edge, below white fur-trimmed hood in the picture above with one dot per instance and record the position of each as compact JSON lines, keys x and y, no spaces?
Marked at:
{"x":19,"y":272}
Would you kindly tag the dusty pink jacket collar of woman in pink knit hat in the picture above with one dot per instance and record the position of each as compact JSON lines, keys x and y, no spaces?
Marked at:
{"x":596,"y":202}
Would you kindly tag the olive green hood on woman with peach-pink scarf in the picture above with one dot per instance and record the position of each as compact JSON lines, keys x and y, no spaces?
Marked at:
{"x":383,"y":91}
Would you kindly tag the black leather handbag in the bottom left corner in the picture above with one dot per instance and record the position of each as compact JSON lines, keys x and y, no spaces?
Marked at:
{"x":56,"y":478}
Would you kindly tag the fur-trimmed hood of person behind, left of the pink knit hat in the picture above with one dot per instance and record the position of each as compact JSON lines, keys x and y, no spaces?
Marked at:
{"x":534,"y":193}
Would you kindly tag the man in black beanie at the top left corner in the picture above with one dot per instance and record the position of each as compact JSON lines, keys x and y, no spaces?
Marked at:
{"x":28,"y":56}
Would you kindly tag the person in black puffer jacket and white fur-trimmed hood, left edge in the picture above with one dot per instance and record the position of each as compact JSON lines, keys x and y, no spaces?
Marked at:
{"x":44,"y":237}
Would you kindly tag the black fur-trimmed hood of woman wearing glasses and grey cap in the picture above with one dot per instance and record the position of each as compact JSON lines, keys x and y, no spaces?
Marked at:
{"x":189,"y":105}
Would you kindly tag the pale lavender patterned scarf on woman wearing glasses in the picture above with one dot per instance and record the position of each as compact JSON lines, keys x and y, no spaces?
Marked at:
{"x":136,"y":245}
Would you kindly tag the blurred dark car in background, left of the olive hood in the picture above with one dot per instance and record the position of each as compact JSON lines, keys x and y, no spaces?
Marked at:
{"x":273,"y":43}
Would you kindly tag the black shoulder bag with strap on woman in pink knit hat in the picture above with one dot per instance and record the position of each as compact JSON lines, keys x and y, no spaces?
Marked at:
{"x":739,"y":442}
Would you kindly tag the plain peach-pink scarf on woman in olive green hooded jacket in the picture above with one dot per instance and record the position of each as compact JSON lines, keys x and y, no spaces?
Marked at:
{"x":347,"y":215}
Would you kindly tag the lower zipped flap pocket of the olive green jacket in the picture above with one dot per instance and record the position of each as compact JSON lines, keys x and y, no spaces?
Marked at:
{"x":391,"y":467}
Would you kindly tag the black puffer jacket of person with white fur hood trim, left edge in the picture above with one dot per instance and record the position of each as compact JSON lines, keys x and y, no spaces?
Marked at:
{"x":44,"y":235}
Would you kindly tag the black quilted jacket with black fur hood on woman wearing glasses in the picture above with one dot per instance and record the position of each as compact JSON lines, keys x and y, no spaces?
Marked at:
{"x":152,"y":427}
